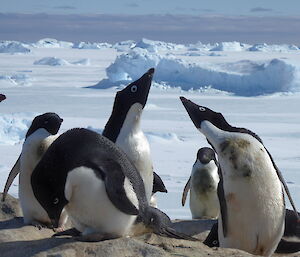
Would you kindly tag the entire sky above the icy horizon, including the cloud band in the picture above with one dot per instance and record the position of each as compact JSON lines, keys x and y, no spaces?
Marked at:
{"x":189,"y":21}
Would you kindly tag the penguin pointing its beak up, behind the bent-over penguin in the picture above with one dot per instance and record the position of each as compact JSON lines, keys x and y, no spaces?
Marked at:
{"x":124,"y":127}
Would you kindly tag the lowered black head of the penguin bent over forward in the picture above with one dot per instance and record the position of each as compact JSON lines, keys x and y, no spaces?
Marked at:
{"x":49,"y":191}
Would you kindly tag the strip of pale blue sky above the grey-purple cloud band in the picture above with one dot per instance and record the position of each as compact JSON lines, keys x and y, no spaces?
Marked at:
{"x":141,"y":7}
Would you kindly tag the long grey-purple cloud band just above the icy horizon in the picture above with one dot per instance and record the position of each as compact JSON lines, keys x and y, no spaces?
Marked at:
{"x":170,"y":28}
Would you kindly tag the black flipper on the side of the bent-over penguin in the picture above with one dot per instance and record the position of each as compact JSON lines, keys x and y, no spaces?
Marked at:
{"x":114,"y":180}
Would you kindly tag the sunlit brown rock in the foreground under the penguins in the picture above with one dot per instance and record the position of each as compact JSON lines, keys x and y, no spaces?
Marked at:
{"x":18,"y":240}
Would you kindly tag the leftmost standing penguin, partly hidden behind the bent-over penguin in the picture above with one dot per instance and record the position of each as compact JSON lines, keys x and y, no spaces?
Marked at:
{"x":40,"y":135}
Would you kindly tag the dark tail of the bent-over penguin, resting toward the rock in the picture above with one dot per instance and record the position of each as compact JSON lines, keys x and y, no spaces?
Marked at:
{"x":161,"y":224}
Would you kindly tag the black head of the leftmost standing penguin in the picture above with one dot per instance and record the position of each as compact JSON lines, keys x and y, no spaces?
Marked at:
{"x":49,"y":121}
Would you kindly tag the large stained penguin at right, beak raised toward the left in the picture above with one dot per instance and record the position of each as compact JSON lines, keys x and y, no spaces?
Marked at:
{"x":250,"y":190}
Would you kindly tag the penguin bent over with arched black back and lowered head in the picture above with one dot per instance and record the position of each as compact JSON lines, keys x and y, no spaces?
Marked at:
{"x":102,"y":191}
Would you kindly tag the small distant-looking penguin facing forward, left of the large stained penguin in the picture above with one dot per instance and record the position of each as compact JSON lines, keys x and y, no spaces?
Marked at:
{"x":202,"y":185}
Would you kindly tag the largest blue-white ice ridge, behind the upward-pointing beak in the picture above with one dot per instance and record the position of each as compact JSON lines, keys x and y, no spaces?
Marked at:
{"x":245,"y":78}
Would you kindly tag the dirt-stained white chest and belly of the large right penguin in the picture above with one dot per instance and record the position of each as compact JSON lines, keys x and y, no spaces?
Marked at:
{"x":251,"y":187}
